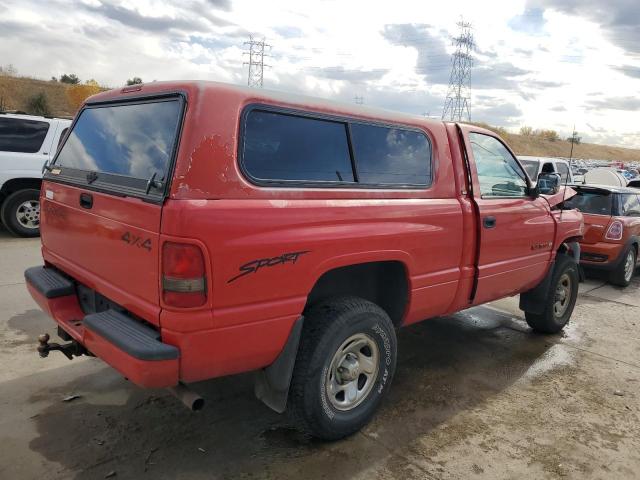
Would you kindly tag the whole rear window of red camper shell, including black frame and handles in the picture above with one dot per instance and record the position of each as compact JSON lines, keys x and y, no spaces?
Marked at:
{"x":125,"y":148}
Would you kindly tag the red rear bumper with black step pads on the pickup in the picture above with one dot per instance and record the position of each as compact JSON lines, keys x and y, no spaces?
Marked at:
{"x":129,"y":346}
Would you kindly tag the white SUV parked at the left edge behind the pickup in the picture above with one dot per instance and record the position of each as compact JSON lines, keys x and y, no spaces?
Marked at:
{"x":26,"y":143}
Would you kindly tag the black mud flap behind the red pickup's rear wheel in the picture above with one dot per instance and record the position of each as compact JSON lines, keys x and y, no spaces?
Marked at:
{"x":272,"y":382}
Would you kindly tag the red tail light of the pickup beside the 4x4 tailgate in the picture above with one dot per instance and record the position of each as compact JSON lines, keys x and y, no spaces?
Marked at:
{"x":184,"y":282}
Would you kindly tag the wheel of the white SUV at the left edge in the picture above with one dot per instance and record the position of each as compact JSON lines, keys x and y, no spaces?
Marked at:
{"x":20,"y":213}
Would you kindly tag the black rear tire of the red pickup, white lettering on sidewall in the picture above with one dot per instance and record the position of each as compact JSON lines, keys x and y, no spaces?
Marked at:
{"x":327,"y":328}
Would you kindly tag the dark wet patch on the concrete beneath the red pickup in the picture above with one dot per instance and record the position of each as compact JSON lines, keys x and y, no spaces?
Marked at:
{"x":445,"y":366}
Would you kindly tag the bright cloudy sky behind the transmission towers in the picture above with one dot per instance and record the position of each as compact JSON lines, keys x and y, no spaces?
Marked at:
{"x":542,"y":63}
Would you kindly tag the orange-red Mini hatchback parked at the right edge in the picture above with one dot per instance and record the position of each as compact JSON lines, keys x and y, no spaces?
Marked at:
{"x":612,"y":229}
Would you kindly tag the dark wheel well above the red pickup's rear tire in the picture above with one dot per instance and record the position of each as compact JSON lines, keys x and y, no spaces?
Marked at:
{"x":383,"y":283}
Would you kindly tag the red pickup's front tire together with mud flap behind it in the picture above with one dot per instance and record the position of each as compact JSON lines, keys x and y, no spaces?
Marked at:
{"x":552,"y":320}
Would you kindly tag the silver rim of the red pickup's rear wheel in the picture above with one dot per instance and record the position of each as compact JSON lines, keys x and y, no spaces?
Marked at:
{"x":352,"y":372}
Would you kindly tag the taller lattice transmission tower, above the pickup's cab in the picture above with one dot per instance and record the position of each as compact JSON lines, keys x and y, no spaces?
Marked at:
{"x":456,"y":105}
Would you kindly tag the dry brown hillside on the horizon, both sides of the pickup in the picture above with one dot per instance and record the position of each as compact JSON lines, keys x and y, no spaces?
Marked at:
{"x":16,"y":91}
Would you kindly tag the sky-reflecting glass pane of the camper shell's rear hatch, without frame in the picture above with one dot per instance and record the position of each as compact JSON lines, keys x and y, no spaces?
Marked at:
{"x":134,"y":140}
